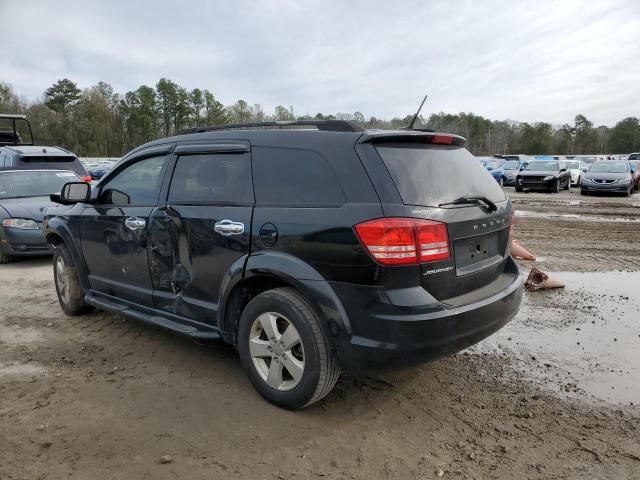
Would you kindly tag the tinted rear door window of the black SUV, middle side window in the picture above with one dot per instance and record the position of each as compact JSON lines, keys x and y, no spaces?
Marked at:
{"x":212,"y":178}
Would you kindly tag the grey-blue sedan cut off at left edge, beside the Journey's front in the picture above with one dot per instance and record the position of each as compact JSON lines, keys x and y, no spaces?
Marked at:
{"x":24,"y":198}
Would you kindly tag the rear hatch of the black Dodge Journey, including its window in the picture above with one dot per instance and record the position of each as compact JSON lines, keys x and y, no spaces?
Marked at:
{"x":428,"y":178}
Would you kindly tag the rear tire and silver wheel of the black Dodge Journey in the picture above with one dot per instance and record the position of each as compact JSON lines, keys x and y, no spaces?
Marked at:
{"x":283,"y":350}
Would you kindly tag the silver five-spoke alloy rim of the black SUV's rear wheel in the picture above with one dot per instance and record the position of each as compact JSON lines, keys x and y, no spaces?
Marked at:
{"x":276,"y":351}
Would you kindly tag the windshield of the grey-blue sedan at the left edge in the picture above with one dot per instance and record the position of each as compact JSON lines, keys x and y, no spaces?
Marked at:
{"x":29,"y":183}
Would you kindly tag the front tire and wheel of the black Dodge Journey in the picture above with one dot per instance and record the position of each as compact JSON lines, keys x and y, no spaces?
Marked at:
{"x":65,"y":275}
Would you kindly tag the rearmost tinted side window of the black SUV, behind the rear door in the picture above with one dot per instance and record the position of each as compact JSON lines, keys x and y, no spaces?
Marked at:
{"x":294,"y":177}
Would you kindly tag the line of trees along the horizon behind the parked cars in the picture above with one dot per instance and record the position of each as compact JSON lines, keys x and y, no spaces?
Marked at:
{"x":100,"y":122}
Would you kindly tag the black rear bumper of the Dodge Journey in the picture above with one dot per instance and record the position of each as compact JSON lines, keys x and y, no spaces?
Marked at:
{"x":386,"y":334}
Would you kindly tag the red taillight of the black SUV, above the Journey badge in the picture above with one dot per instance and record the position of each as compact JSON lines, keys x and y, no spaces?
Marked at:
{"x":404,"y":241}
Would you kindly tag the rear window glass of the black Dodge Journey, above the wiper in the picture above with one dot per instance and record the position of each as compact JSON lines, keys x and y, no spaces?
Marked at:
{"x":428,"y":175}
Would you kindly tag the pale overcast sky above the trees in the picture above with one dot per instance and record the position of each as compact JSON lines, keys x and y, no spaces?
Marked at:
{"x":520,"y":60}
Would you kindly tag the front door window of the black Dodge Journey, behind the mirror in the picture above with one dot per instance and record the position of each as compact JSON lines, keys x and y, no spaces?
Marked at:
{"x":138,"y":184}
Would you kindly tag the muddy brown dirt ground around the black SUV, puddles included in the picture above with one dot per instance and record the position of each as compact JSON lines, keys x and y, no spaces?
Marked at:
{"x":554,"y":394}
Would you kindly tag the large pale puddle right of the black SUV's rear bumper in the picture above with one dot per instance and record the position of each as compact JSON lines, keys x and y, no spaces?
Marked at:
{"x":585,"y":338}
